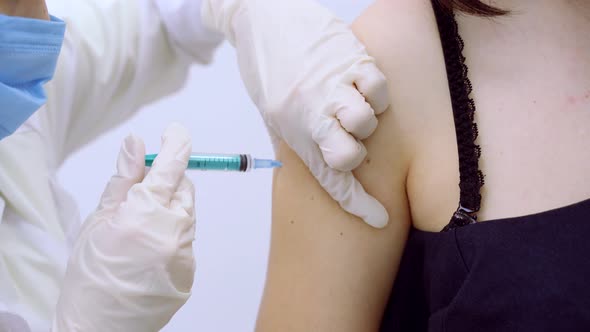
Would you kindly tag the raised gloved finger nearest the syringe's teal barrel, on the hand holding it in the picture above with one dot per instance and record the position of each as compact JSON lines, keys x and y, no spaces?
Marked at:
{"x":169,"y":167}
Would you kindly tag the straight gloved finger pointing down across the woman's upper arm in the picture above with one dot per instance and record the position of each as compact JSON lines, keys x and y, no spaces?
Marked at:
{"x":352,"y":197}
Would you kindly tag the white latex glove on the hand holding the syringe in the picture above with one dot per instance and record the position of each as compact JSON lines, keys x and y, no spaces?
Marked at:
{"x":132,"y":266}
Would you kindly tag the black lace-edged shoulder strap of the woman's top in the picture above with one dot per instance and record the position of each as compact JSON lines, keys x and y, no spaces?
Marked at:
{"x":471,"y":178}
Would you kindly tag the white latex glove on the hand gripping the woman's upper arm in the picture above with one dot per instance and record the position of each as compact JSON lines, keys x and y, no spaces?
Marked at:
{"x":315,"y":85}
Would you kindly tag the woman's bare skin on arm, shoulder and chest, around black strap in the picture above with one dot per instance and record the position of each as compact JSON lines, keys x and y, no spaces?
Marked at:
{"x":531,"y":76}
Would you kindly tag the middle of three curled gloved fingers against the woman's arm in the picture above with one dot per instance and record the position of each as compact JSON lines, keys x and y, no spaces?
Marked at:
{"x":353,"y":112}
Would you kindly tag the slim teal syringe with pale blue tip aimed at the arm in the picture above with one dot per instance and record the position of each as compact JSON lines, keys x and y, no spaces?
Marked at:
{"x":222,"y":162}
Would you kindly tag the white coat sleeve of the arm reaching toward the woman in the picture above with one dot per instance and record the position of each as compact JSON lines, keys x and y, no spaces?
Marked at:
{"x":117,"y":57}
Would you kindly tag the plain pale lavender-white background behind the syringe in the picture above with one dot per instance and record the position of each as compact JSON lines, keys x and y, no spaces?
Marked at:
{"x":233,"y":210}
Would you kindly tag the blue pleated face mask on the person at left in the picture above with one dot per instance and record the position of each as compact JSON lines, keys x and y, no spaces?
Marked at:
{"x":29,"y":49}
